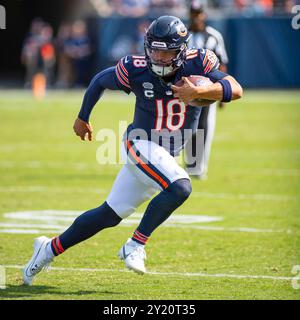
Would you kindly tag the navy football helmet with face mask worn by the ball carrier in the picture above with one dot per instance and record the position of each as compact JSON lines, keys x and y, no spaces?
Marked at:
{"x":168,"y":34}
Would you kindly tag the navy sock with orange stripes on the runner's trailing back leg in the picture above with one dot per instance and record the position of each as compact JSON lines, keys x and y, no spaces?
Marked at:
{"x":85,"y":226}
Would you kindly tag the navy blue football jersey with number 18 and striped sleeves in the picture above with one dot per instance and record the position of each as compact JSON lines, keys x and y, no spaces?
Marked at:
{"x":157,"y":111}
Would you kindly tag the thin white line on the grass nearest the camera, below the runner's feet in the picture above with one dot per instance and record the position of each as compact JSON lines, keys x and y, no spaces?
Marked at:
{"x":180,"y":274}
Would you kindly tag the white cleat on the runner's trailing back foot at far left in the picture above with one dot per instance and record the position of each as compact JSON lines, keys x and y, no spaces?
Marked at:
{"x":38,"y":261}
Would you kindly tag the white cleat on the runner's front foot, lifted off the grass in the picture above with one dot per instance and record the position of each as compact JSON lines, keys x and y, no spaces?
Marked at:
{"x":134,"y":255}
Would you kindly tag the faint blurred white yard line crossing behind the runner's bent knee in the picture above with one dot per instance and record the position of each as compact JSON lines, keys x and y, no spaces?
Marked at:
{"x":209,"y":195}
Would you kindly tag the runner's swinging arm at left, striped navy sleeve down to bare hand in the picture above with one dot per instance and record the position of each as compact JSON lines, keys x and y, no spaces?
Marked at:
{"x":114,"y":78}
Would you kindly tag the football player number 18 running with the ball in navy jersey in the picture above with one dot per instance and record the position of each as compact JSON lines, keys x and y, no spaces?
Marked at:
{"x":161,"y":107}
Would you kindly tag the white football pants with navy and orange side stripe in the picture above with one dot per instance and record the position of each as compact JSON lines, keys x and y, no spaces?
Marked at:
{"x":149,"y":169}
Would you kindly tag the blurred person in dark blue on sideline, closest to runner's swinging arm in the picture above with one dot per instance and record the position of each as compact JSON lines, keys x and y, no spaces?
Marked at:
{"x":78,"y":49}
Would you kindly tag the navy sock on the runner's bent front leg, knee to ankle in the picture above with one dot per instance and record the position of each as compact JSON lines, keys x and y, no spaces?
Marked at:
{"x":161,"y":207}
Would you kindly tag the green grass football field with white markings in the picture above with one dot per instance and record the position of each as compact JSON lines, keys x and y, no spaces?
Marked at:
{"x":250,"y":252}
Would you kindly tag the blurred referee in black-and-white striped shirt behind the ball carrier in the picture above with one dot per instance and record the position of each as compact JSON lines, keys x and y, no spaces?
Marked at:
{"x":204,"y":36}
